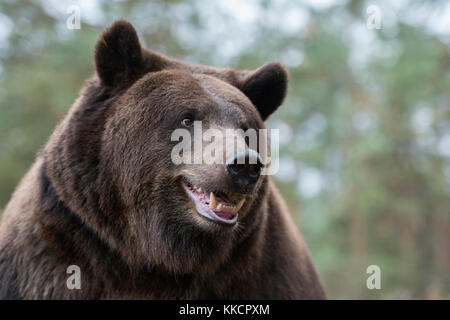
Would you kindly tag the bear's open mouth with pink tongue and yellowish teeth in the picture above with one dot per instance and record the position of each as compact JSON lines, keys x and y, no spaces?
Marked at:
{"x":215,"y":206}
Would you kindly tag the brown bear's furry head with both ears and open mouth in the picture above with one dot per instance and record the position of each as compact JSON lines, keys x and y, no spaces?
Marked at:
{"x":111,"y":159}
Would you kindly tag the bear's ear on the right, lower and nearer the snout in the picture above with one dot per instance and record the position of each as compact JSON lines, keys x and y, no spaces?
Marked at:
{"x":266,"y":87}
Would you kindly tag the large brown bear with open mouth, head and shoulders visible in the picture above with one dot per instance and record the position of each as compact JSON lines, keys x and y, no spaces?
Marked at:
{"x":103,"y":194}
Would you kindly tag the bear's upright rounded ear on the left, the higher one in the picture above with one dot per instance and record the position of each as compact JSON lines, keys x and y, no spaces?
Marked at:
{"x":118,"y":54}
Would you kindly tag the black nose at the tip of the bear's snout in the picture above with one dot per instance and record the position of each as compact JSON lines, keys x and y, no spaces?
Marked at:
{"x":244,"y":167}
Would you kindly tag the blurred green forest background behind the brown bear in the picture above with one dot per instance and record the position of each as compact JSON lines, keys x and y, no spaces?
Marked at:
{"x":365,"y":130}
